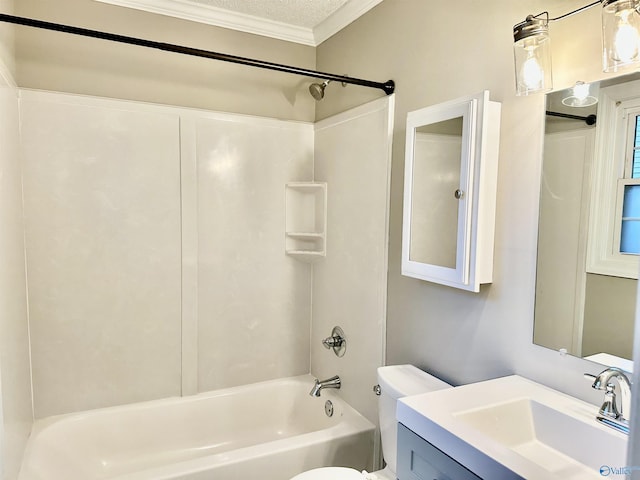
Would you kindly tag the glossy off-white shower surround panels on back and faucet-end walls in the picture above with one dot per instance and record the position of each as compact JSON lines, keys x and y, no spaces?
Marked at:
{"x":155,"y":249}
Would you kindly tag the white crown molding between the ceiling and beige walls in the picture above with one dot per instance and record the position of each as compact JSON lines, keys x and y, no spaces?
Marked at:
{"x":196,"y":12}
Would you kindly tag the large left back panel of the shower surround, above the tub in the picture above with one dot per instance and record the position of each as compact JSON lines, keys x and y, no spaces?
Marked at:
{"x":102,"y":209}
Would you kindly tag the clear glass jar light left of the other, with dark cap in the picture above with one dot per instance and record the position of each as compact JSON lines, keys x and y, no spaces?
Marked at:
{"x":532,"y":54}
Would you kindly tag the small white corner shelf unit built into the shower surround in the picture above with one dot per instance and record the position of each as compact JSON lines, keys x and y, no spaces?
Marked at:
{"x":306,"y":220}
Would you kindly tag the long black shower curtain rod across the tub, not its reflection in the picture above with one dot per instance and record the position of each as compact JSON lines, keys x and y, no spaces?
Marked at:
{"x":388,"y":87}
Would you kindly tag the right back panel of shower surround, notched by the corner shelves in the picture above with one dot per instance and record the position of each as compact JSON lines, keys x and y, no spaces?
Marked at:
{"x":254,"y":302}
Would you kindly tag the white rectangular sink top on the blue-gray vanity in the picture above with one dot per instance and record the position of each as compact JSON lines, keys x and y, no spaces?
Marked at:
{"x":512,"y":427}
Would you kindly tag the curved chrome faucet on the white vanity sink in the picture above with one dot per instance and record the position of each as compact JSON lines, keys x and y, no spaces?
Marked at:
{"x":609,"y":413}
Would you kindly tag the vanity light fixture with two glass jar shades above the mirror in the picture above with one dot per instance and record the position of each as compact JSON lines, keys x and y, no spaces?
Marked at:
{"x":532,"y":48}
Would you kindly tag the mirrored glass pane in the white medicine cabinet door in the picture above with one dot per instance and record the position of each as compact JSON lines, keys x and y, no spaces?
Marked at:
{"x":436,"y":174}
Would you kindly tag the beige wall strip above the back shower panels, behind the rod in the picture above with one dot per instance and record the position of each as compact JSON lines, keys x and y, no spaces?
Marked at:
{"x":67,"y":63}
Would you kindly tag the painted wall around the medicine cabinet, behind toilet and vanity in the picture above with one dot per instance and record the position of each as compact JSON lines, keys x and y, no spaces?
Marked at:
{"x":436,"y":53}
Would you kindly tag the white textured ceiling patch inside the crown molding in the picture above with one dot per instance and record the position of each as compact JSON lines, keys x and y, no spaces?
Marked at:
{"x":303,"y":13}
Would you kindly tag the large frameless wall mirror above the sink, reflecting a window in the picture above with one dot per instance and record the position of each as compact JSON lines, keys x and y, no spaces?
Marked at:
{"x":585,"y":303}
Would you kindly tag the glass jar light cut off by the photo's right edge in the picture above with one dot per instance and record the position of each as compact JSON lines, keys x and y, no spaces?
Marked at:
{"x":620,"y":34}
